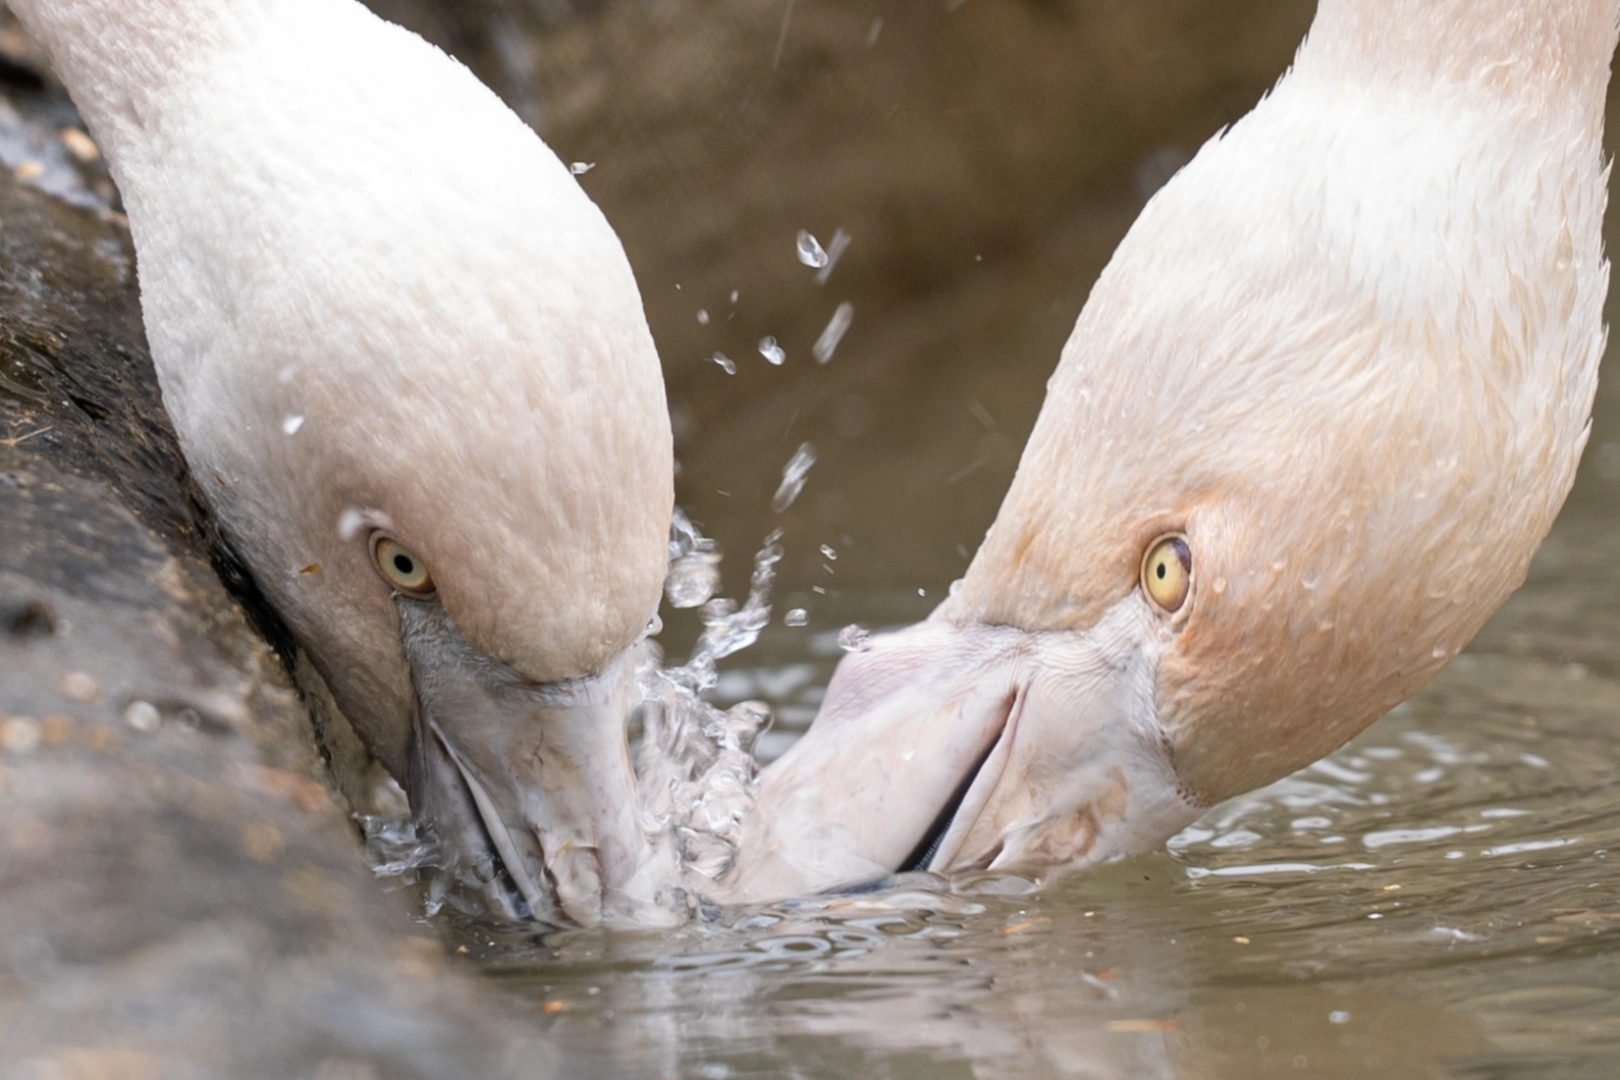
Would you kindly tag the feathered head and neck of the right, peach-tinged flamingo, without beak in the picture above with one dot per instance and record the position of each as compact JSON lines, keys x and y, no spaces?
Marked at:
{"x":1350,"y":351}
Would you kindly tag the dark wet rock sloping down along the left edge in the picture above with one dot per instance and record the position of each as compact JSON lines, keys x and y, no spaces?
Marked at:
{"x":181,"y":893}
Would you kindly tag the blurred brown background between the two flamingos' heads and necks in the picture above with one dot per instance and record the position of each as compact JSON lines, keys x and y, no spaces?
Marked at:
{"x":984,"y":159}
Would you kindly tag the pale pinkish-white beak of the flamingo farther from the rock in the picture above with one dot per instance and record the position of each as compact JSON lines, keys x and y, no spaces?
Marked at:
{"x":970,"y":747}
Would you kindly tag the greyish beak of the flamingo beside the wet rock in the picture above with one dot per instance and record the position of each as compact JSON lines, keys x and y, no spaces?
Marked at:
{"x":529,"y":786}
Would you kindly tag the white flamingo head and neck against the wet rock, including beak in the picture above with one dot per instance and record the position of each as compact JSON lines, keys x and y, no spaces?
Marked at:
{"x":380,"y":305}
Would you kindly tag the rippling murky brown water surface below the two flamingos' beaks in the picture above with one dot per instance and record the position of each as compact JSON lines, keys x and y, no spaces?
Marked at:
{"x":1436,"y":899}
